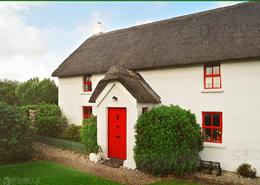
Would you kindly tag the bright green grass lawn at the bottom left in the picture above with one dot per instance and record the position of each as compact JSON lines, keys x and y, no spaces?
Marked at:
{"x":46,"y":173}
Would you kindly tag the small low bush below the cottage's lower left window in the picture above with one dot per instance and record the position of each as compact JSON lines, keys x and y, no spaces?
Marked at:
{"x":72,"y":133}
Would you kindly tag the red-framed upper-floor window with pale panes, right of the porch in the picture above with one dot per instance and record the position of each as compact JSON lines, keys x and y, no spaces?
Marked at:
{"x":212,"y":77}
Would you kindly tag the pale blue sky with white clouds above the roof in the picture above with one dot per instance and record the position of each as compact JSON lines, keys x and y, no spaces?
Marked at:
{"x":37,"y":37}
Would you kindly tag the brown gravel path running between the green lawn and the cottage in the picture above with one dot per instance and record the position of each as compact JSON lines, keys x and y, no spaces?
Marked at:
{"x":126,"y":176}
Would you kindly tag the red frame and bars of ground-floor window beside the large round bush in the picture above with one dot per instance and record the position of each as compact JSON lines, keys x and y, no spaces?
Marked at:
{"x":212,"y":128}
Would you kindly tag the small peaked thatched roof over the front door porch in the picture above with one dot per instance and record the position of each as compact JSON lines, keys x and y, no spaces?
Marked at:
{"x":132,"y":81}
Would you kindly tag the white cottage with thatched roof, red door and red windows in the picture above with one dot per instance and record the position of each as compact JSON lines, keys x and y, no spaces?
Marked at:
{"x":207,"y":62}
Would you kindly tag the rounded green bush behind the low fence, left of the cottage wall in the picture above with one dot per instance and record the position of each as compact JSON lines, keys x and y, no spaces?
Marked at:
{"x":49,"y":120}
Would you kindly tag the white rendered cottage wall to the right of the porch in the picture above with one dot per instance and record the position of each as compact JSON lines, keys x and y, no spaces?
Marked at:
{"x":239,"y":101}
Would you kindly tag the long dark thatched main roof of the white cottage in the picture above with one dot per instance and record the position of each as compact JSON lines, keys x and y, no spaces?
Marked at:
{"x":222,"y":34}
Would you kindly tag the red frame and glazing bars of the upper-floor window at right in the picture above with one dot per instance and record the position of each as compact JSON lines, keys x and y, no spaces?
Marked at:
{"x":212,"y":76}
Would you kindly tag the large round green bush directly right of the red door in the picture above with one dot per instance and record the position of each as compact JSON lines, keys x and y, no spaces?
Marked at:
{"x":168,"y":141}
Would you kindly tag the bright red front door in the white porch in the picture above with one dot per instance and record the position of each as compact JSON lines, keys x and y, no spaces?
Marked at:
{"x":117,"y":133}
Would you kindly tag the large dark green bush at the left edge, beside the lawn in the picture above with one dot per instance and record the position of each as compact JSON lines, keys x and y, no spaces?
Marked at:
{"x":16,"y":135}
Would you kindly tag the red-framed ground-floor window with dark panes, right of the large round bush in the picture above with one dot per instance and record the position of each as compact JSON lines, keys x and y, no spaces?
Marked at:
{"x":212,"y":127}
